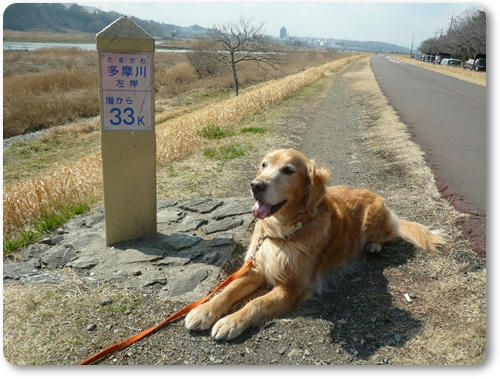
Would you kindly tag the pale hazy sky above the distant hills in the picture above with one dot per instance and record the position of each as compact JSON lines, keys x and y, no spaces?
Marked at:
{"x":365,"y":21}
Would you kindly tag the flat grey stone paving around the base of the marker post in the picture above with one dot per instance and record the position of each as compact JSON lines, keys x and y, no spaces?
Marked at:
{"x":195,"y":239}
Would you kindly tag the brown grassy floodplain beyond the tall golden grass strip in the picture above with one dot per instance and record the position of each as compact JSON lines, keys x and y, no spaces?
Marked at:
{"x":52,"y":86}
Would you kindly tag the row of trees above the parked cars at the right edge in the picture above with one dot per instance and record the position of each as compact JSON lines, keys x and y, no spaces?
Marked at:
{"x":465,"y":38}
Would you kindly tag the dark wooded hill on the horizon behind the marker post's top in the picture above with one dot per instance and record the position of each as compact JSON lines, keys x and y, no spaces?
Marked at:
{"x":73,"y":18}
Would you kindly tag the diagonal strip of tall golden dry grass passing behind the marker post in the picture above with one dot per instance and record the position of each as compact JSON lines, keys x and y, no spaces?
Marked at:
{"x":25,"y":200}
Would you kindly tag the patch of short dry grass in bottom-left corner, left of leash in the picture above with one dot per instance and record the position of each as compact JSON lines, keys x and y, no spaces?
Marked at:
{"x":47,"y":322}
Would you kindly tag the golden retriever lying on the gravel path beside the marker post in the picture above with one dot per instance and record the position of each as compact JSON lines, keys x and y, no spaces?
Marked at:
{"x":305,"y":230}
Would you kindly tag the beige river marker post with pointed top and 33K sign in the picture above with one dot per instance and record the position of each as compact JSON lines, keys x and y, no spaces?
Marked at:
{"x":128,"y":142}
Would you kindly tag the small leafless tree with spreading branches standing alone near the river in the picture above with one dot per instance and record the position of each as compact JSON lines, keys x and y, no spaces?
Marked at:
{"x":240,"y":42}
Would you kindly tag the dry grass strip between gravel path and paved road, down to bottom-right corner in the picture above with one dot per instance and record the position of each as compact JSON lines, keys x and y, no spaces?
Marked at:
{"x":453,"y":305}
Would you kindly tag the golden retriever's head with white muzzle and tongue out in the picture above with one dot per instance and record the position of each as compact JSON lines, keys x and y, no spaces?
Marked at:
{"x":287,"y":182}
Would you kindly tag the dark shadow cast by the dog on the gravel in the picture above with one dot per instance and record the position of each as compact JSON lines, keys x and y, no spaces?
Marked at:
{"x":359,"y":305}
